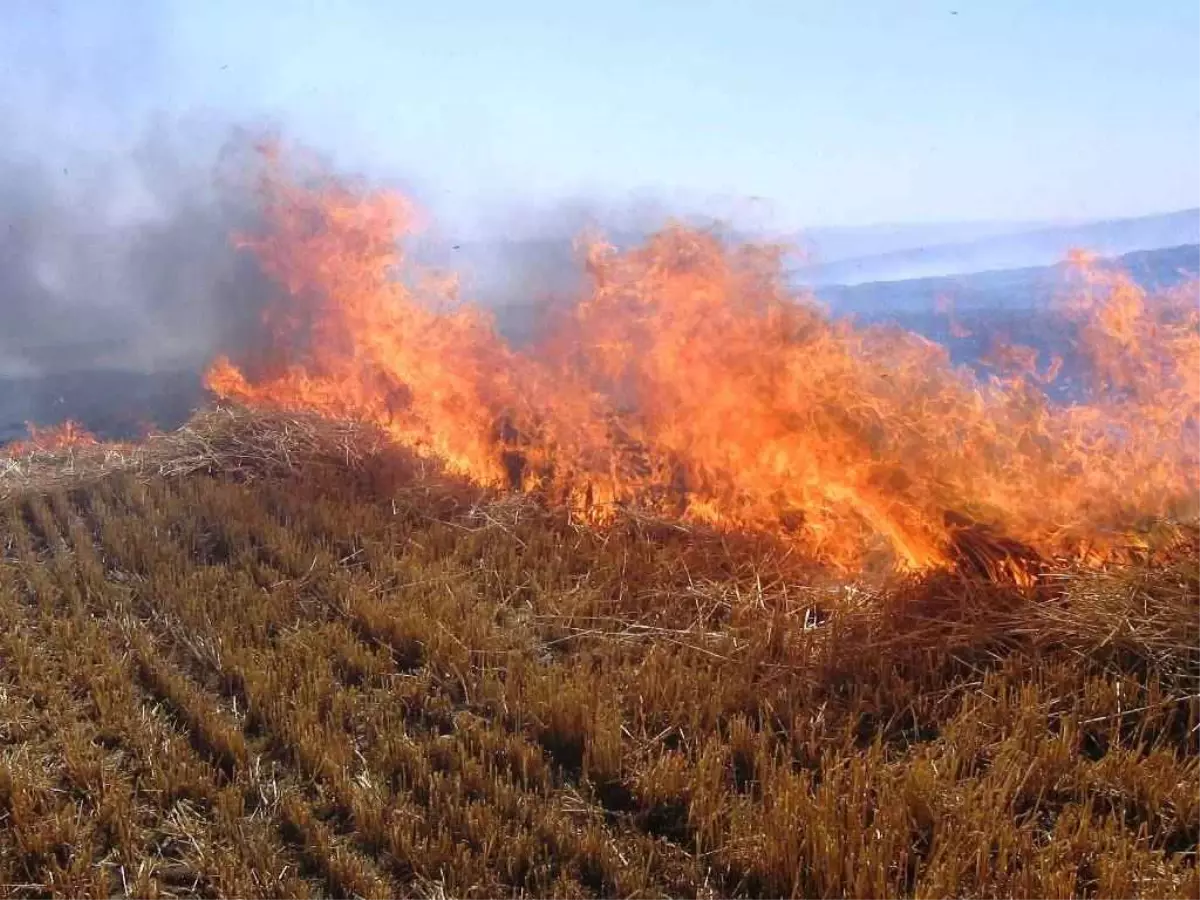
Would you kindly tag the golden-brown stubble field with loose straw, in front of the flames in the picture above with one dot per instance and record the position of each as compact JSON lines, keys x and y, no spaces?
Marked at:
{"x":256,"y":659}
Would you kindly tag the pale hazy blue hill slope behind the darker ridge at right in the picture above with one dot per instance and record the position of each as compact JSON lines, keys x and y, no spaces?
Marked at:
{"x":1013,"y":250}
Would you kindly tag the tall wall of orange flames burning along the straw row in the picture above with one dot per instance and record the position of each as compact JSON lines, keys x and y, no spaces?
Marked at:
{"x":693,"y":381}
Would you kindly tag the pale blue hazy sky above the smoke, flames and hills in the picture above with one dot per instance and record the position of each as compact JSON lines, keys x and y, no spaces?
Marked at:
{"x":836,"y":113}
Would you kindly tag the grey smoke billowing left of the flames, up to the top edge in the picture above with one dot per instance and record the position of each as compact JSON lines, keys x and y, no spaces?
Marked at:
{"x":118,"y":275}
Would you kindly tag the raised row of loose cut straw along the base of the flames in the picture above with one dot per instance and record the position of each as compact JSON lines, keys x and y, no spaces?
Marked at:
{"x":1042,"y":599}
